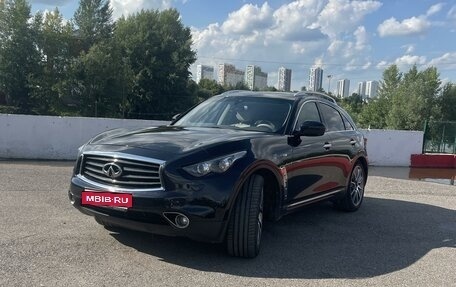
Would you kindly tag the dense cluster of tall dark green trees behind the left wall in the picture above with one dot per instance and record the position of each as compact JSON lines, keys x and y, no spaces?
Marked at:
{"x":88,"y":67}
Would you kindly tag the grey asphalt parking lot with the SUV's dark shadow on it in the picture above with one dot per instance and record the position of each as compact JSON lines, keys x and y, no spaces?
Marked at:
{"x":404,"y":235}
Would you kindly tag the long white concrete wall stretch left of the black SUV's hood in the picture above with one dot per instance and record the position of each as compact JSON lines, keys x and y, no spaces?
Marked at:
{"x":45,"y":137}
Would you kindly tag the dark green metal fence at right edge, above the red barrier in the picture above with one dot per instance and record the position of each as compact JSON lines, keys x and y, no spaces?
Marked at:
{"x":439,"y":137}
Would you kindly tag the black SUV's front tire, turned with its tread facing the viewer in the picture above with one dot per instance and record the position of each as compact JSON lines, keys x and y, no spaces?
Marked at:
{"x":246,"y":223}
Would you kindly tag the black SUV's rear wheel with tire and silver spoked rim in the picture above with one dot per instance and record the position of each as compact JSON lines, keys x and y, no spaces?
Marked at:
{"x":354,"y":195}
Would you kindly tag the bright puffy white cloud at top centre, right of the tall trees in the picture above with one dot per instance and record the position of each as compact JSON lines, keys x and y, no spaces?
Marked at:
{"x":248,"y":18}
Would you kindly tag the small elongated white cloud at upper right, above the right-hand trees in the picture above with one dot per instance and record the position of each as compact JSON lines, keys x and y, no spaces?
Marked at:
{"x":414,"y":25}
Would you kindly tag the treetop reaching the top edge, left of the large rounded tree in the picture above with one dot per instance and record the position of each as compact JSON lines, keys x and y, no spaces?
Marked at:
{"x":93,"y":21}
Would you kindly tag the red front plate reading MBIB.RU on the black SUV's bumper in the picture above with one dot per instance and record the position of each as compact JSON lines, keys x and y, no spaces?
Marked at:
{"x":111,"y":199}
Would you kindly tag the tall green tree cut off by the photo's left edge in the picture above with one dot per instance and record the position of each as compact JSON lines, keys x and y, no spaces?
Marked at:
{"x":18,"y":53}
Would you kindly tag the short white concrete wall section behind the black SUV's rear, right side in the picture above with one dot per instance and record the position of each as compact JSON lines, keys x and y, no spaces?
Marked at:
{"x":391,"y":147}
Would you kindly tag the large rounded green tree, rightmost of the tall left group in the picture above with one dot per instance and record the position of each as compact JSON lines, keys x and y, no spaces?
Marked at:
{"x":158,"y":48}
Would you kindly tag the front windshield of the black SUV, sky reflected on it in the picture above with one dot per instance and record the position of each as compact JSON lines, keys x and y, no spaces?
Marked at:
{"x":255,"y":113}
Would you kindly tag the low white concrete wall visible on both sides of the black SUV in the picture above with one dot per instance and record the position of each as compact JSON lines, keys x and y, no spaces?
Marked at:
{"x":44,"y":137}
